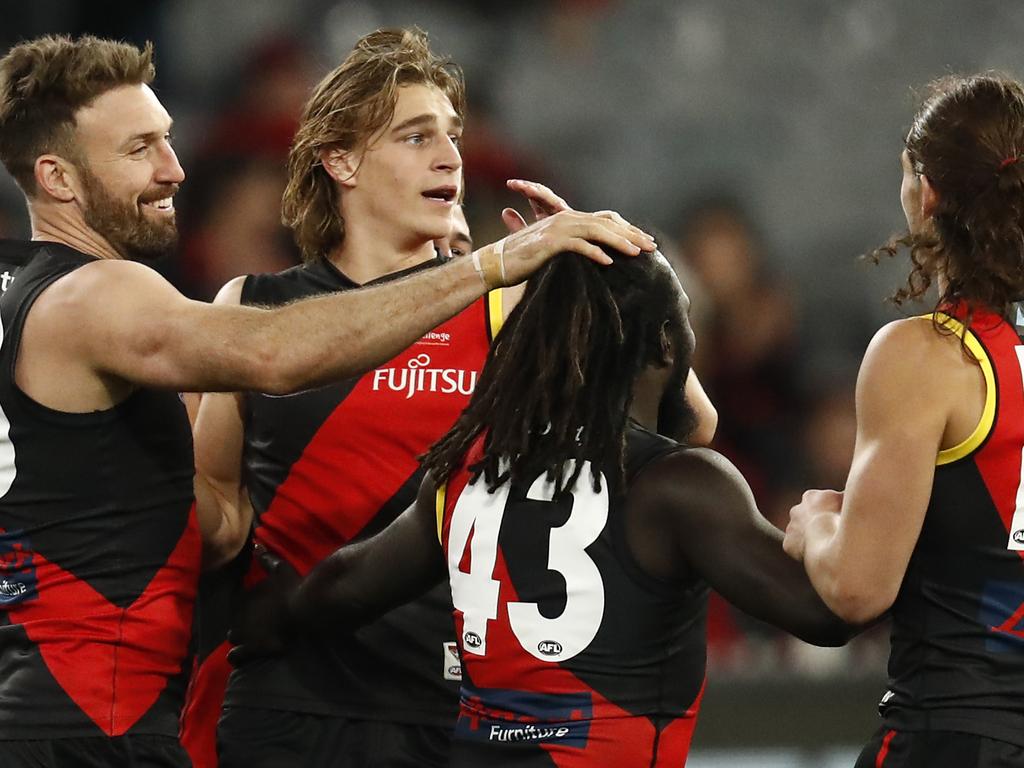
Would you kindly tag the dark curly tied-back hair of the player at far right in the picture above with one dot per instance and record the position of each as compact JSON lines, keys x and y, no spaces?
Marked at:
{"x":968,"y":140}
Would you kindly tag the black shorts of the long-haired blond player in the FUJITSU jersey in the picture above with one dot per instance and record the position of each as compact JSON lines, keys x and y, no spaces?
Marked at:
{"x":269,"y":739}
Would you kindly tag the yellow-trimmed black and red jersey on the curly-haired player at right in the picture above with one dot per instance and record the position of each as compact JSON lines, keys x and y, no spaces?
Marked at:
{"x":958,"y":633}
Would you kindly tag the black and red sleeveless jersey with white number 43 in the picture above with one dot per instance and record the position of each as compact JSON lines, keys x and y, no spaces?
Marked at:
{"x":573,"y":655}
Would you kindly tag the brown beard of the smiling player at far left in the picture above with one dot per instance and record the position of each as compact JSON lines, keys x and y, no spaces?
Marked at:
{"x":123,"y":224}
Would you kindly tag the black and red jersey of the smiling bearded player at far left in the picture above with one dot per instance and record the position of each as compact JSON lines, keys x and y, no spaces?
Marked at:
{"x":100,"y":550}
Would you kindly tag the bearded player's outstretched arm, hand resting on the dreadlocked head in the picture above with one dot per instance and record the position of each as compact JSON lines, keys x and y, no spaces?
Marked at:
{"x":123,"y":321}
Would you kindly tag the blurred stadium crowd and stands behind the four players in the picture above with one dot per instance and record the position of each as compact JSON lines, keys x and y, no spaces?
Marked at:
{"x":761,"y":142}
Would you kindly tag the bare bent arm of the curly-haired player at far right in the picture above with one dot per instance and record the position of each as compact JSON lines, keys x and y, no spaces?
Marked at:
{"x":857,"y":545}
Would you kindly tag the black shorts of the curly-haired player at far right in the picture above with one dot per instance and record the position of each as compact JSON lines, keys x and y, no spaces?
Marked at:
{"x":889,"y":749}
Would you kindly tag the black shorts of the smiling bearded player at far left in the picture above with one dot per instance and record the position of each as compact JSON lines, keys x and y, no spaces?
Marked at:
{"x":96,"y":752}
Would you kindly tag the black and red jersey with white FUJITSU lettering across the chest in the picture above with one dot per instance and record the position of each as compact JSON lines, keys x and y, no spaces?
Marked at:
{"x":334,"y":464}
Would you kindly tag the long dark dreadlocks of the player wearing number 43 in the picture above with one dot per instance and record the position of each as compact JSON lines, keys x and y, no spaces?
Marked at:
{"x":558,"y":386}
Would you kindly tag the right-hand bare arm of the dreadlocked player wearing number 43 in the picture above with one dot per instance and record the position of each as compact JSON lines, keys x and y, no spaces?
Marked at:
{"x":693,"y":515}
